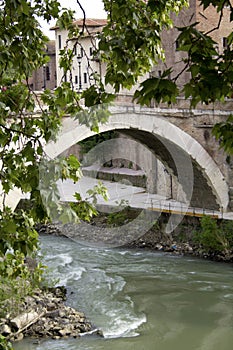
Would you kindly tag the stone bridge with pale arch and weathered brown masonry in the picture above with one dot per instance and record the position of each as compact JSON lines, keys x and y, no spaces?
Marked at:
{"x":179,"y":137}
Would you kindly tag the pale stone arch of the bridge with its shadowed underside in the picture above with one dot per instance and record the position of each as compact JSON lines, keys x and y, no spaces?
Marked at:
{"x":158,"y":134}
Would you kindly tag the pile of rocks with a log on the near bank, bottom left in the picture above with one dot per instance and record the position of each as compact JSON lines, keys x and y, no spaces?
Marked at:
{"x":45,"y":315}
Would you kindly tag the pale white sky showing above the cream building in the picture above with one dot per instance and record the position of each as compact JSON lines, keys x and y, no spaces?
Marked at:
{"x":93,"y":9}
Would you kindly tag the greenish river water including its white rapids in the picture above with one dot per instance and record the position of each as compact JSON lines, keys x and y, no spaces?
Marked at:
{"x":141,"y":299}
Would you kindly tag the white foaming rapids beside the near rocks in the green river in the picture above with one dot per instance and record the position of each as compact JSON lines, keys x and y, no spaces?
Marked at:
{"x":100,"y":290}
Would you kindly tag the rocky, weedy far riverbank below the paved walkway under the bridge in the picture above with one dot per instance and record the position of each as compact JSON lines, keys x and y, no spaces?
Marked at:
{"x":184,"y":240}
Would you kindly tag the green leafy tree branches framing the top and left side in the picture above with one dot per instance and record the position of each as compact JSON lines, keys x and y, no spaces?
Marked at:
{"x":130,"y":45}
